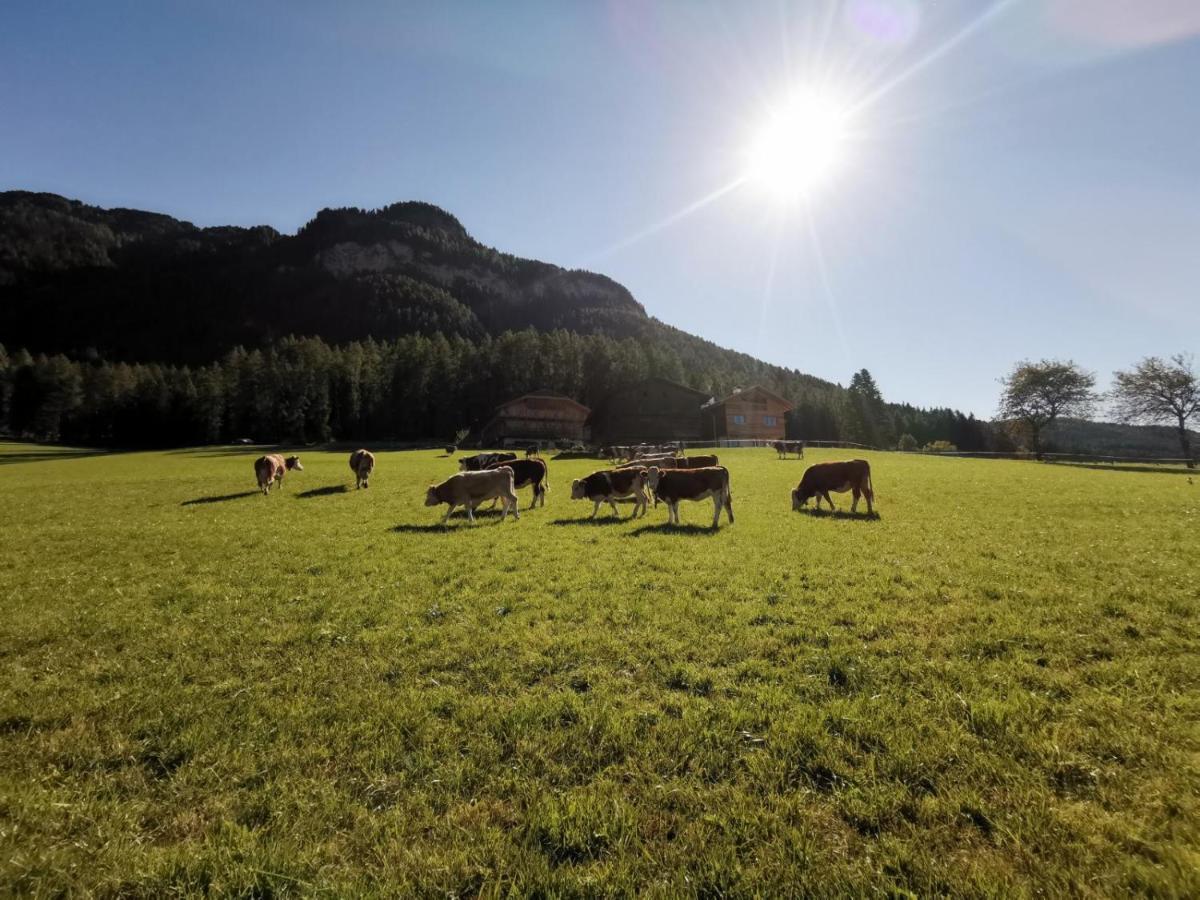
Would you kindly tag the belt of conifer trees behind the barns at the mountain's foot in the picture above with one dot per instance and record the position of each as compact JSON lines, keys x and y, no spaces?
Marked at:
{"x":417,"y":388}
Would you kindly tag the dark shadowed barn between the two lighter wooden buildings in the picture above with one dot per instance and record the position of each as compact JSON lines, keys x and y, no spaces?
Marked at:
{"x":653,"y":411}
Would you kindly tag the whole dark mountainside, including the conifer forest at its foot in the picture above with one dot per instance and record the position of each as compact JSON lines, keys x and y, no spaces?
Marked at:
{"x":134,"y":328}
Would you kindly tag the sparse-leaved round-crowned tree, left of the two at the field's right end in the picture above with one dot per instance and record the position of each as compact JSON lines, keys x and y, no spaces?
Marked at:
{"x":1036,"y":394}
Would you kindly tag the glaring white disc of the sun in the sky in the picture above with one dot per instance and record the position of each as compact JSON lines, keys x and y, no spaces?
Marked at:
{"x":799,"y":147}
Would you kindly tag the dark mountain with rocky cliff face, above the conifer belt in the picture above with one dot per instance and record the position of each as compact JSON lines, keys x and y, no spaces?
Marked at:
{"x":142,"y":286}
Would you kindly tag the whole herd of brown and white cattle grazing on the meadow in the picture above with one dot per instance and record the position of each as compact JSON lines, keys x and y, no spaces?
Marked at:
{"x":647,"y":473}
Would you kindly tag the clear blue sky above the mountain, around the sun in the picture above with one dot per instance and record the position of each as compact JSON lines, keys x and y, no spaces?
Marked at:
{"x":1019,"y":179}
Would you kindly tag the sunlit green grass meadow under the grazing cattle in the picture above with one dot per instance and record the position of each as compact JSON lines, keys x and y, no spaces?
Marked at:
{"x":989,"y":689}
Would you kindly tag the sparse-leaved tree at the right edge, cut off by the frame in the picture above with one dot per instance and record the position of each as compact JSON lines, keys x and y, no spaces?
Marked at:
{"x":1160,"y":392}
